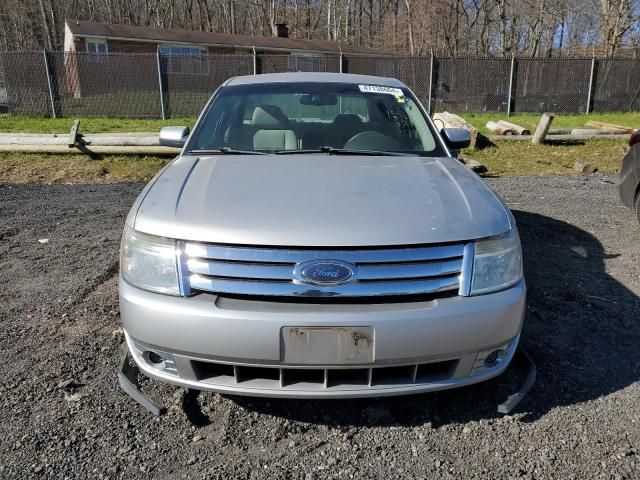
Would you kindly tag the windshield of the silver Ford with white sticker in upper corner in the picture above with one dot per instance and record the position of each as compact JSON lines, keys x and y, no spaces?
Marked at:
{"x":314,"y":117}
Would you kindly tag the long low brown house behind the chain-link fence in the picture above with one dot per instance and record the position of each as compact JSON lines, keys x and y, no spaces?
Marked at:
{"x":102,"y":57}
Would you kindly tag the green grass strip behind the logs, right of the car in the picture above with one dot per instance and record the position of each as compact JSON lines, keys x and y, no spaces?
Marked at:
{"x":530,"y":120}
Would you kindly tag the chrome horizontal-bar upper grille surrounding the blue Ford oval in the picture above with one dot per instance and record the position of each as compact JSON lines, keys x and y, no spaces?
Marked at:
{"x":270,"y":272}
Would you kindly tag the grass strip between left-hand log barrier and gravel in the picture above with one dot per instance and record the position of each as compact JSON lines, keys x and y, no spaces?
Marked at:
{"x":67,"y":168}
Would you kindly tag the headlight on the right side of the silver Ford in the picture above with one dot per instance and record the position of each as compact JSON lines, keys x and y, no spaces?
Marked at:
{"x":497,"y":263}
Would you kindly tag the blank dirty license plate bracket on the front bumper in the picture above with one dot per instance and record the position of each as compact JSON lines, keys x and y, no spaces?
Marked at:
{"x":327,"y":345}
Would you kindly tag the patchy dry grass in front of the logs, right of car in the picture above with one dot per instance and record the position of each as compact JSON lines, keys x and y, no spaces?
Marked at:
{"x":509,"y":157}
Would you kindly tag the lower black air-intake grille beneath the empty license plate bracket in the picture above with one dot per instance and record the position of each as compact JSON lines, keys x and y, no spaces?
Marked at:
{"x":322,"y":378}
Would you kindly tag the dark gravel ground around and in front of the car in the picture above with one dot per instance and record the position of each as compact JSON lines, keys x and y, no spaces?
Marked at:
{"x":62,"y":414}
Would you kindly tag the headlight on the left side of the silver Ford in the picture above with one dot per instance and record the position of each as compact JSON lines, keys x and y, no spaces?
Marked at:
{"x":149,"y":262}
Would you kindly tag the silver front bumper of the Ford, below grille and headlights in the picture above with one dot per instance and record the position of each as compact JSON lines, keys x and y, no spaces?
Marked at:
{"x":236,"y":346}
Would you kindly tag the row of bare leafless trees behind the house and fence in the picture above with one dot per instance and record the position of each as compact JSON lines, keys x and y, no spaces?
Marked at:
{"x":455,"y":27}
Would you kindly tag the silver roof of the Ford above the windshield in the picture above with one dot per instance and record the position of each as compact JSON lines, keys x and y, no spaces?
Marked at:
{"x":322,"y":77}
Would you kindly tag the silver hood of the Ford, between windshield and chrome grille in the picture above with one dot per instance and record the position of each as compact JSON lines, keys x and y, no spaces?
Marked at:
{"x":320,"y":200}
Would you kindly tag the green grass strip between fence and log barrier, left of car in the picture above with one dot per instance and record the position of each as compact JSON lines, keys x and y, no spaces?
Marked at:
{"x":15,"y":124}
